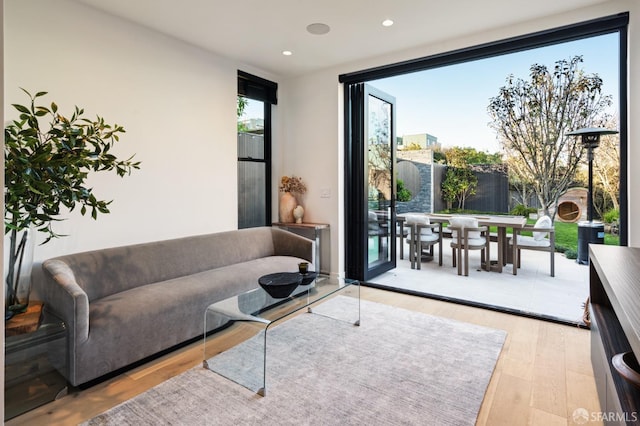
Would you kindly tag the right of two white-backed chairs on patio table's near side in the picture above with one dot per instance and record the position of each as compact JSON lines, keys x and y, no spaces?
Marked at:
{"x":467,"y":235}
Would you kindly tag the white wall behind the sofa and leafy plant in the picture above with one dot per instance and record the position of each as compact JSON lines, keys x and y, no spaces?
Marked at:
{"x":176,"y":102}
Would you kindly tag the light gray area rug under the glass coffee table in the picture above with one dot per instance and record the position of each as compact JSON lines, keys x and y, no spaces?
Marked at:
{"x":397,"y":367}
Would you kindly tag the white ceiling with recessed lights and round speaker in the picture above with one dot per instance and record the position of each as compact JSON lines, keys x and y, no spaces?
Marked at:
{"x":256,"y":32}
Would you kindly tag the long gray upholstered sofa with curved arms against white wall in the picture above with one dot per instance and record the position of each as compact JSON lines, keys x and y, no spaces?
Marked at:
{"x":124,"y":304}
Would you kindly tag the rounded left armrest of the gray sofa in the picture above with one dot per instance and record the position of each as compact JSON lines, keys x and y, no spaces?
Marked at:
{"x":66,"y":299}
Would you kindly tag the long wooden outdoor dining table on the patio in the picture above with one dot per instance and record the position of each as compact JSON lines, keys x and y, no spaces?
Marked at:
{"x":499,"y":221}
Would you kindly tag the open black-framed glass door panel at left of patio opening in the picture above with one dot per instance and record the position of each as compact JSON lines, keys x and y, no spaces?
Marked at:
{"x":370,"y":213}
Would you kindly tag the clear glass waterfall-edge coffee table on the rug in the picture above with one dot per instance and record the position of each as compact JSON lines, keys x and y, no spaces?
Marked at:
{"x":256,"y":308}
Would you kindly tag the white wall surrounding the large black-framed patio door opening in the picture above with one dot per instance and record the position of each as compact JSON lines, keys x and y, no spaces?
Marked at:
{"x":312,"y":105}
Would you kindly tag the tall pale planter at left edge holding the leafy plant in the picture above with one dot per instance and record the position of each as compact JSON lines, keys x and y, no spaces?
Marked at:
{"x":19,"y":248}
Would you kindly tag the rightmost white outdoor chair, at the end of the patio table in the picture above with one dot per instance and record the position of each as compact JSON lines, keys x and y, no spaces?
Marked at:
{"x":542,"y":229}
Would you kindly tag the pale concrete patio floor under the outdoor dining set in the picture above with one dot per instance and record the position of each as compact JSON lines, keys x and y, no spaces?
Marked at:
{"x":532,"y":292}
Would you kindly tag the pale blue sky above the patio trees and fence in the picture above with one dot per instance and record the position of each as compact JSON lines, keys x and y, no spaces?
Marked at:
{"x":451,"y":102}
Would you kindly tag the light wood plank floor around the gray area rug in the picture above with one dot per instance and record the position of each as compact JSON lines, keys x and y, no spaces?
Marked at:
{"x":543,"y":374}
